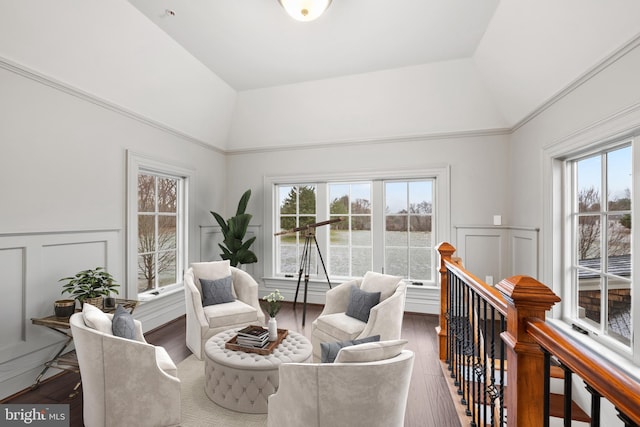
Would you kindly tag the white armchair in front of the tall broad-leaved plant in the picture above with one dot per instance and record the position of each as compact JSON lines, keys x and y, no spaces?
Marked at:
{"x":205,"y":322}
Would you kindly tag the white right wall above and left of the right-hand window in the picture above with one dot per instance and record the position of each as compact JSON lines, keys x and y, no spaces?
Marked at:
{"x":606,"y":94}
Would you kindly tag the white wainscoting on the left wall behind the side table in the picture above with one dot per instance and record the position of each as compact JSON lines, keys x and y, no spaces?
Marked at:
{"x":31,"y":265}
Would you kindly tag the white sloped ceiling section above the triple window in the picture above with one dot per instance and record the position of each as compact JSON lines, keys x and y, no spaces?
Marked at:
{"x":413,"y":101}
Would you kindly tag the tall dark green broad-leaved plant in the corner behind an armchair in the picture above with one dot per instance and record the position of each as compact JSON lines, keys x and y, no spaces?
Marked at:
{"x":234,"y":230}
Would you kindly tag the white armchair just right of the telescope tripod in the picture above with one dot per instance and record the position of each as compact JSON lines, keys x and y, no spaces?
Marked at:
{"x":385,"y":318}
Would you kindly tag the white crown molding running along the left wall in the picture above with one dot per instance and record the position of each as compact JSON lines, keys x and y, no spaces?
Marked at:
{"x":36,"y":76}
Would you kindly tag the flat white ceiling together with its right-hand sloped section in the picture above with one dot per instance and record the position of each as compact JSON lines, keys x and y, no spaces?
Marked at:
{"x":526,"y":51}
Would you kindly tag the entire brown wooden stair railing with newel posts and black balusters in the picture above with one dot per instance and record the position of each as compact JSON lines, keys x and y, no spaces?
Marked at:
{"x":512,"y":372}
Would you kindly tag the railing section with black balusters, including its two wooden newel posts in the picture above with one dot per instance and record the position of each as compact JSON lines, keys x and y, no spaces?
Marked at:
{"x":483,"y":340}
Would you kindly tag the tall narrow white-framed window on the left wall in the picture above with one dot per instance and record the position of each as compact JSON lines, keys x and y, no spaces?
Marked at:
{"x":157,"y":226}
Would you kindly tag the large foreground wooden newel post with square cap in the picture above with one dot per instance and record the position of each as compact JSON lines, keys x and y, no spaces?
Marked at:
{"x":526,"y":298}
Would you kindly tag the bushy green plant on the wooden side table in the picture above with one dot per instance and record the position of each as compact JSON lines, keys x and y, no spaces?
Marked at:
{"x":90,"y":286}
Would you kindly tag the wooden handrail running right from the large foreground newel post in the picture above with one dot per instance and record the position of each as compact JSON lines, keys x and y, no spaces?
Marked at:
{"x":615,"y":385}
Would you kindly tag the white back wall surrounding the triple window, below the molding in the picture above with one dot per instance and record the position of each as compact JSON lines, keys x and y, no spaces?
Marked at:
{"x":478,"y":186}
